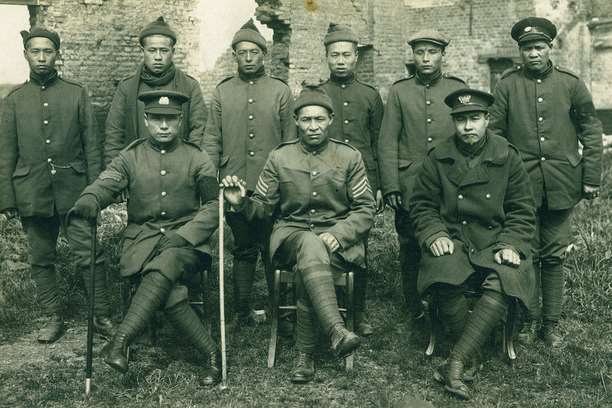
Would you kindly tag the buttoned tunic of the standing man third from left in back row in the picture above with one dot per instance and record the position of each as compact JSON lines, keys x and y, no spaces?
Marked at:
{"x":248,"y":118}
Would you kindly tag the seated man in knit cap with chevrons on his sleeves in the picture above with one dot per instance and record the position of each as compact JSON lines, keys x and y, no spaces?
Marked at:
{"x":317,"y":189}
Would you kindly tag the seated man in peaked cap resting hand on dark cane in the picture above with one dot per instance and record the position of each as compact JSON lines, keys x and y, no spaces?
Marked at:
{"x":168,"y":230}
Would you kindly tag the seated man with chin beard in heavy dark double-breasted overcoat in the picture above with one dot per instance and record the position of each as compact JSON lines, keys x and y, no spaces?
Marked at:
{"x":474,"y":217}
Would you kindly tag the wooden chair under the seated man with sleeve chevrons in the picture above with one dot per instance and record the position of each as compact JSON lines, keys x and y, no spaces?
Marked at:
{"x":285,"y":282}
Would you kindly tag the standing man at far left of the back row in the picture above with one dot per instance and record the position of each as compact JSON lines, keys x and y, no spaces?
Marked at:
{"x":49,"y":152}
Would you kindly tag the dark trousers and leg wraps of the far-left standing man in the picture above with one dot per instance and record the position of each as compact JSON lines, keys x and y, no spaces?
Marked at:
{"x":42,"y":234}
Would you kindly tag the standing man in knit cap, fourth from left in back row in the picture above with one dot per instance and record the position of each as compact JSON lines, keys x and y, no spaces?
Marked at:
{"x":358,"y":114}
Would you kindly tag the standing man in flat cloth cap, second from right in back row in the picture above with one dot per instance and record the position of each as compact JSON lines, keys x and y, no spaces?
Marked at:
{"x":415,"y":119}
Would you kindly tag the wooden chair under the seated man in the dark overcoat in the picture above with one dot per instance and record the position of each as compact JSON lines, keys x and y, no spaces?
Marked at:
{"x":508,"y":327}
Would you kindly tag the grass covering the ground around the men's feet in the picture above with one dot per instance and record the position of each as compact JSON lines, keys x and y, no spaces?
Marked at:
{"x":390,"y":369}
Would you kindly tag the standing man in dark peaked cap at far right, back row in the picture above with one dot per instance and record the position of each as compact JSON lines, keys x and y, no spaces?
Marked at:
{"x":545,"y":110}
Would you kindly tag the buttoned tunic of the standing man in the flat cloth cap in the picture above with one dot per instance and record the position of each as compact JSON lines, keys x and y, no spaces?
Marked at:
{"x":416,"y":118}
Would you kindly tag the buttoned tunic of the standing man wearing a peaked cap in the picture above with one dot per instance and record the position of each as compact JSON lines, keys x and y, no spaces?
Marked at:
{"x":545,"y":117}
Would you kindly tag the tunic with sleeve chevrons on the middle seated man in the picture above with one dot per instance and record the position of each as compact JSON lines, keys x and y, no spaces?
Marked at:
{"x":325,"y":190}
